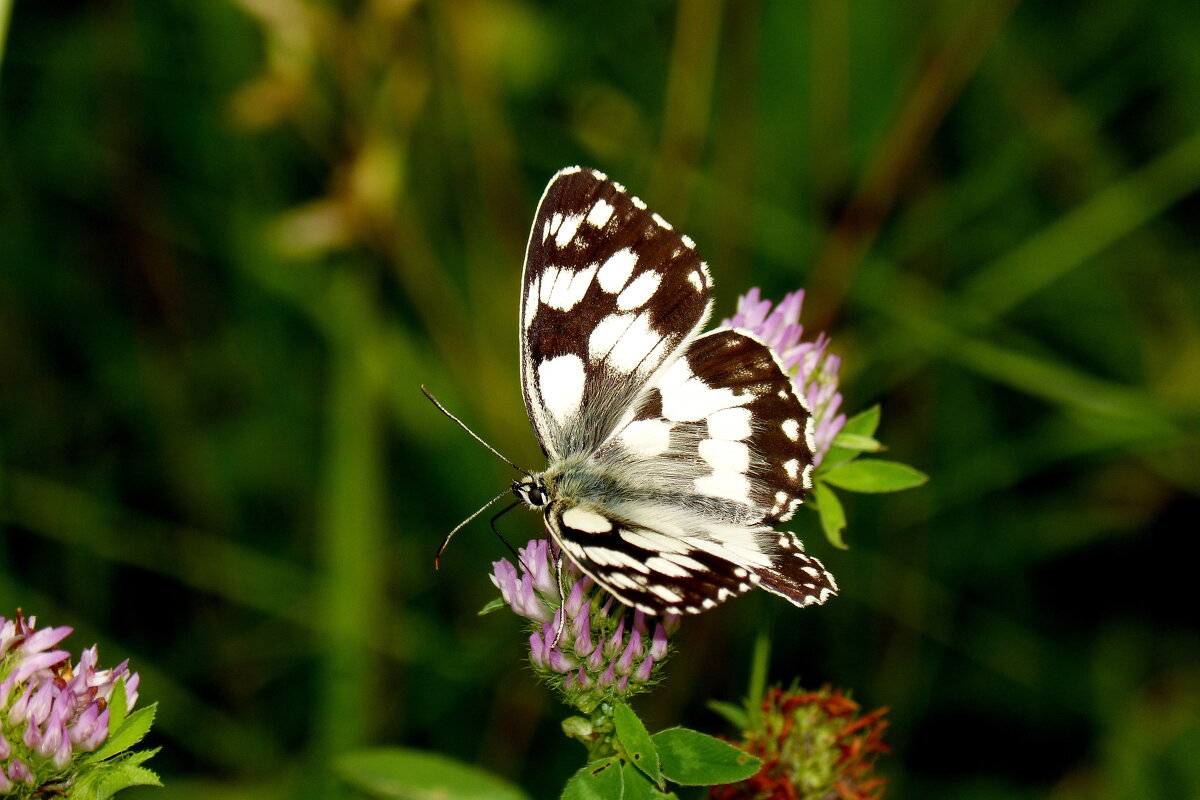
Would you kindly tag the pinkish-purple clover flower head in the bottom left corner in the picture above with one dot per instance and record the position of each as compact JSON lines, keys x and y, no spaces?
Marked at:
{"x":51,"y":711}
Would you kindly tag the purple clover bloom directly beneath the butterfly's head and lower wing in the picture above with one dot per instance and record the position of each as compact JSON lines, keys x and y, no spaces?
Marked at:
{"x":603,"y":651}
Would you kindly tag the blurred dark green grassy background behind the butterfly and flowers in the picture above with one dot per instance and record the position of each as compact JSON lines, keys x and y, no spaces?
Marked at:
{"x":236,"y":236}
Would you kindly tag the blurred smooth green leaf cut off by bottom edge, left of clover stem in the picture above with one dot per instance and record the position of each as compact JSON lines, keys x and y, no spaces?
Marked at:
{"x":404,"y":774}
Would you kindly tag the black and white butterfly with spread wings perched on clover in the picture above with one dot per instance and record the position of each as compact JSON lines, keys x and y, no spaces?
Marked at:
{"x":673,"y":454}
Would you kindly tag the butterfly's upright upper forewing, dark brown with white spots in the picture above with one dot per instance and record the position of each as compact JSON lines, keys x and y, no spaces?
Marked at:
{"x":610,"y":293}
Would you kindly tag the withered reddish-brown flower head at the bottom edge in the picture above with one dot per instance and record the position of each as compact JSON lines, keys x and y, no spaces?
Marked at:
{"x":814,"y":747}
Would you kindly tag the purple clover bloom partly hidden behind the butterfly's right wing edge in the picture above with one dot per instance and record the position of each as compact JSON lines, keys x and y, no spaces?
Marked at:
{"x":813,"y":369}
